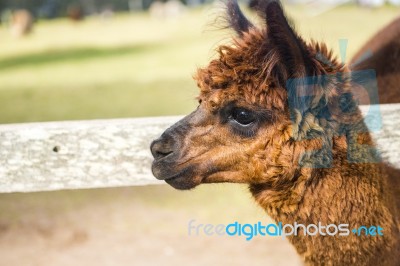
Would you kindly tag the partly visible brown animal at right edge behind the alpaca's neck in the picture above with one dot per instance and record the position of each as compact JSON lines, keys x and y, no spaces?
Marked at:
{"x":382,"y":53}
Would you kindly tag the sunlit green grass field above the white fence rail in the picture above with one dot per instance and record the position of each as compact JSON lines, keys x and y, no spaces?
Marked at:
{"x":135,"y":65}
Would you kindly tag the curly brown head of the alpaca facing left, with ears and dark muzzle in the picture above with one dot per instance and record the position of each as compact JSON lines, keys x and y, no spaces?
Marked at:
{"x":267,"y":100}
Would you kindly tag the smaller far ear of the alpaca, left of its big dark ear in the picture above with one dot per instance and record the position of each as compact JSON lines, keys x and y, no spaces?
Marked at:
{"x":236,"y":18}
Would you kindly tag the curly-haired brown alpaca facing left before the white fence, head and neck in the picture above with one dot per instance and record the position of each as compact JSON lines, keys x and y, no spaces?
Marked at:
{"x":303,"y":149}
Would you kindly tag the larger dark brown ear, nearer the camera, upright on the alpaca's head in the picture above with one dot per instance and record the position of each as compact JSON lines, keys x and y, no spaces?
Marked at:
{"x":292,"y":50}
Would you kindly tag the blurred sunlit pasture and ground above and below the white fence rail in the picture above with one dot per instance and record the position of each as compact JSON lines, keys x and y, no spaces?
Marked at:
{"x":94,"y":59}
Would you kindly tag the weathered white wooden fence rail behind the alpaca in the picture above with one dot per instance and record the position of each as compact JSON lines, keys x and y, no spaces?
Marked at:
{"x":108,"y":153}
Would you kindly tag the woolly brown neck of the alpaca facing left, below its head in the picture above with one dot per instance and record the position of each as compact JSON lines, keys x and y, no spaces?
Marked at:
{"x":348,"y":193}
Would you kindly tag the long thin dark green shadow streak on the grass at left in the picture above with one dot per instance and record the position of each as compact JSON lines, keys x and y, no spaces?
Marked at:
{"x":75,"y":54}
